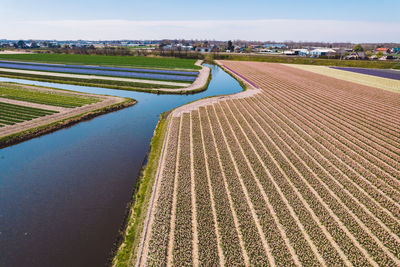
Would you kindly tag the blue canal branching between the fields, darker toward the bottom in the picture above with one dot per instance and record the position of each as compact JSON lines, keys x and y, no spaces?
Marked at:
{"x":63,"y":196}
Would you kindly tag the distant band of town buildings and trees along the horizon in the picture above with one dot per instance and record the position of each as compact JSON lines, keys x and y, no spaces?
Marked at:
{"x":348,"y":51}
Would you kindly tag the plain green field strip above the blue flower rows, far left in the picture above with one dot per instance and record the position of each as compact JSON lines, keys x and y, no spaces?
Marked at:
{"x":132,"y":61}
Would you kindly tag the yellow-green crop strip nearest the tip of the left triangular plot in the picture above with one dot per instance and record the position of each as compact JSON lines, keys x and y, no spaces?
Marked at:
{"x":21,"y":93}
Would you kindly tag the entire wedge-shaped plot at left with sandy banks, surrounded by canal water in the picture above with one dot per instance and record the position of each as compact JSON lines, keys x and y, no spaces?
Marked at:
{"x":27,"y":111}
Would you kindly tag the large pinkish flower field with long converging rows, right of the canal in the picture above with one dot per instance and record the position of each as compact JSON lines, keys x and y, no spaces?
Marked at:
{"x":306,"y":172}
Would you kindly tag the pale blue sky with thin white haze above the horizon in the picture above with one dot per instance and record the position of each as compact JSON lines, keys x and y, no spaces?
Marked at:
{"x":258,"y":20}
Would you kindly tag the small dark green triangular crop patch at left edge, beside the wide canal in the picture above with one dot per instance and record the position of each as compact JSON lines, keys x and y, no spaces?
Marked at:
{"x":11,"y":114}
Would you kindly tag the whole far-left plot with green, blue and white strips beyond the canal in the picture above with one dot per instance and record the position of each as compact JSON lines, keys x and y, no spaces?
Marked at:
{"x":147,"y":74}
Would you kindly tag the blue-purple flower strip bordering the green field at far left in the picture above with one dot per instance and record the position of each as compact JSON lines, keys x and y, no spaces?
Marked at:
{"x":112,"y":73}
